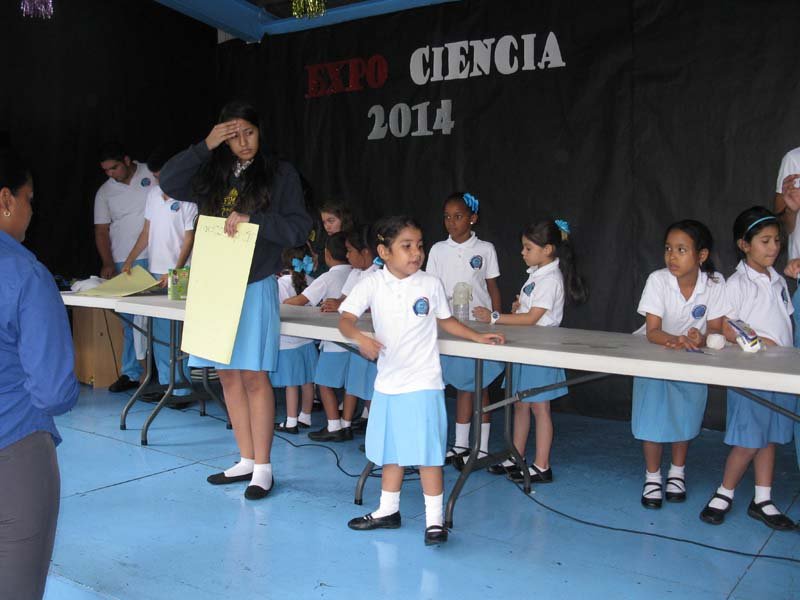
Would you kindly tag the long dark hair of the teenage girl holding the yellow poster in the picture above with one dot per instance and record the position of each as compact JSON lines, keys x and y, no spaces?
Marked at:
{"x":212,"y":181}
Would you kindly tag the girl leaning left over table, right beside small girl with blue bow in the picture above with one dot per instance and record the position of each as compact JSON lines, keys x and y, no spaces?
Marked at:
{"x":333,"y":359}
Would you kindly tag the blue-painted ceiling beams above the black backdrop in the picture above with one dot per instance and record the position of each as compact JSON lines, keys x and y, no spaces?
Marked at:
{"x":251,"y":20}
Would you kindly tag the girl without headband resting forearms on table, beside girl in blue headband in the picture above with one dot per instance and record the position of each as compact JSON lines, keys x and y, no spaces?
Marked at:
{"x":682,"y":304}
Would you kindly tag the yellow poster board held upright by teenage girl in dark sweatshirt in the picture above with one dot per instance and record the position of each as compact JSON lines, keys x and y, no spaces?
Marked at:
{"x":217,"y":284}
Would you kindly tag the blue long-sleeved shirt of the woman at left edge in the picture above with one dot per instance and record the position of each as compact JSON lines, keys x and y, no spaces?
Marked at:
{"x":37,"y":378}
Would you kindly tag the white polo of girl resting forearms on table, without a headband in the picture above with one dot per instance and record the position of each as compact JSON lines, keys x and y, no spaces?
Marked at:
{"x":662,"y":297}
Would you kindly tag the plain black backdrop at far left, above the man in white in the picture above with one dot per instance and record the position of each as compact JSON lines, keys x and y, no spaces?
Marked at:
{"x":126,"y":70}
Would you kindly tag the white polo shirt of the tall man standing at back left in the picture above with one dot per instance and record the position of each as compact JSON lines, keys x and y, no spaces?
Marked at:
{"x":122,"y":205}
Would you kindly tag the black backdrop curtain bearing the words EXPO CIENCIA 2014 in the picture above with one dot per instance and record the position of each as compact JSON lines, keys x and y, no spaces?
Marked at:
{"x":660,"y":111}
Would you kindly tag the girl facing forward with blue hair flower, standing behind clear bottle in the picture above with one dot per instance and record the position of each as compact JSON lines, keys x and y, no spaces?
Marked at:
{"x":463,"y":258}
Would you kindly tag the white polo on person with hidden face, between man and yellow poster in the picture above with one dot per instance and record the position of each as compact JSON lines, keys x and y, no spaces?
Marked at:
{"x":170,"y":219}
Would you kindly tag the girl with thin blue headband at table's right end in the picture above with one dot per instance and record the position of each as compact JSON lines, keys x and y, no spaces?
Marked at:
{"x":758,"y":295}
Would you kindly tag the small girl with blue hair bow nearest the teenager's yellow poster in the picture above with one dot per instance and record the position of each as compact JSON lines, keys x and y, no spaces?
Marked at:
{"x":297,"y":358}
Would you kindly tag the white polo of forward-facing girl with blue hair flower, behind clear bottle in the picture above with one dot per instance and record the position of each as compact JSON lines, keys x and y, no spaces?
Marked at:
{"x":472,"y":262}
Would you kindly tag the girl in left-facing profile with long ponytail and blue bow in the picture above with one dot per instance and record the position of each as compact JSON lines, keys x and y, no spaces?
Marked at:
{"x":552,"y":280}
